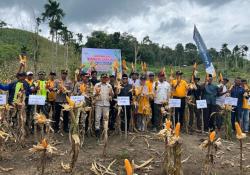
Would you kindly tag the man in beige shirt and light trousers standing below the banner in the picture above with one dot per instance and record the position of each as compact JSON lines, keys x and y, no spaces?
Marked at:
{"x":103,"y":94}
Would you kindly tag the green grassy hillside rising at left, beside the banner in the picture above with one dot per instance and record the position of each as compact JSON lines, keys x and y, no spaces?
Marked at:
{"x":11,"y":43}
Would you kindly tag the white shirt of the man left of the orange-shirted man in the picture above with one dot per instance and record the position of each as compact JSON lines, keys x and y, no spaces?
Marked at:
{"x":161,"y":92}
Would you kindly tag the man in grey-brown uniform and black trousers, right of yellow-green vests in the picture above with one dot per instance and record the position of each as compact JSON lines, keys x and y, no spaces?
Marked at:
{"x":63,"y":87}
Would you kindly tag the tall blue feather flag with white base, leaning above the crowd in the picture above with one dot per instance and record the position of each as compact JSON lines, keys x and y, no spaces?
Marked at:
{"x":204,"y":52}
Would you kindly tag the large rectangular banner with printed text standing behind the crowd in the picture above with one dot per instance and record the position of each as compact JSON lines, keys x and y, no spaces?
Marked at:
{"x":103,"y":58}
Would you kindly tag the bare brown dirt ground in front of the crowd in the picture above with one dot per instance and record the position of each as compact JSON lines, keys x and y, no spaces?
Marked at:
{"x":24,"y":163}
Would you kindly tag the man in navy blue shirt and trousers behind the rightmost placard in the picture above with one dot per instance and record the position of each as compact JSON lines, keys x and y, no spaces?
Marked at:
{"x":237,"y":91}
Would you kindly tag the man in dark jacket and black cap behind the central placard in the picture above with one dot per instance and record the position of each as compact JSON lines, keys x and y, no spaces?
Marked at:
{"x":125,"y":91}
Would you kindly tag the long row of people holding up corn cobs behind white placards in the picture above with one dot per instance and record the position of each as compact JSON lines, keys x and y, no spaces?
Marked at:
{"x":148,"y":93}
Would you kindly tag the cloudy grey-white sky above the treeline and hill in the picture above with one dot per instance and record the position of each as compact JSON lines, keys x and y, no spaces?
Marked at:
{"x":166,"y":22}
